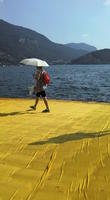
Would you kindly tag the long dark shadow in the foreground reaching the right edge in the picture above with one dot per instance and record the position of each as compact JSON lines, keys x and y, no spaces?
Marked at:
{"x":72,"y":136}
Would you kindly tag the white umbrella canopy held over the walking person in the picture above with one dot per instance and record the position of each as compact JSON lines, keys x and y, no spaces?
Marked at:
{"x":34,"y":62}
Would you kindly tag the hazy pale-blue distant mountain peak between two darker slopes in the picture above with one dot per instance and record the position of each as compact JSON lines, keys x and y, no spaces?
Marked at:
{"x":82,"y":46}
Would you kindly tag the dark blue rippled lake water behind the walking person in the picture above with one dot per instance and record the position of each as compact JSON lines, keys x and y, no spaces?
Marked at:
{"x":68,"y":82}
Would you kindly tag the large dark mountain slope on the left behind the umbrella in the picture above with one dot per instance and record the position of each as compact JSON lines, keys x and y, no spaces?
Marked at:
{"x":17,"y":43}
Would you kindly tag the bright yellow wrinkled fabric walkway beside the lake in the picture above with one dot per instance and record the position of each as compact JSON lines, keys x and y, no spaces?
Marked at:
{"x":61,"y":155}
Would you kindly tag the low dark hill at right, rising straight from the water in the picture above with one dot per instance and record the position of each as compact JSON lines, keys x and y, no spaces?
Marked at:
{"x":98,"y":57}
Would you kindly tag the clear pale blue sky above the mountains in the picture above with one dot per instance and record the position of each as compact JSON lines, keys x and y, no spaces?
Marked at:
{"x":62,"y":21}
